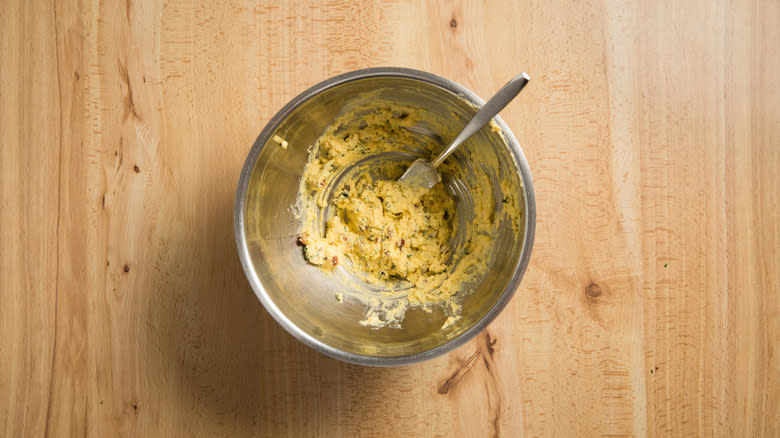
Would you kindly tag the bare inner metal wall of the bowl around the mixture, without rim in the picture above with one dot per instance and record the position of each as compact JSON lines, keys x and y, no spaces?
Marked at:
{"x":305,"y":296}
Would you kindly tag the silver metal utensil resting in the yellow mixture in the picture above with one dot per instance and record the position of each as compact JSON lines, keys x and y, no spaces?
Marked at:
{"x":423,"y":172}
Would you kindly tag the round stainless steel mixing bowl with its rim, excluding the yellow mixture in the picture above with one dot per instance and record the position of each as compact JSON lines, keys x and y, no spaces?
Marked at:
{"x":301,"y":297}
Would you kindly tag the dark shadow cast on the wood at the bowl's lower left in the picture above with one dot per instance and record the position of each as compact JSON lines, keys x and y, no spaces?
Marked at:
{"x":223,"y":357}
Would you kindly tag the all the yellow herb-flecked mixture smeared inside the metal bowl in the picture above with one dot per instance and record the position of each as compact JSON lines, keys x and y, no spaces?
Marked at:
{"x":395,"y":237}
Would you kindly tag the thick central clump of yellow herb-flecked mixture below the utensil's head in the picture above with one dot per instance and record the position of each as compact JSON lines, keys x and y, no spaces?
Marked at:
{"x":388,"y":230}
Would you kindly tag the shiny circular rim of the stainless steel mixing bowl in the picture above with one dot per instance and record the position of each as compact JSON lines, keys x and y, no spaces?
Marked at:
{"x":257,"y":285}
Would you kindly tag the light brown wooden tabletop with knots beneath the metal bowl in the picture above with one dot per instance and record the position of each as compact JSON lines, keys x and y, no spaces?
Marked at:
{"x":651,"y":305}
